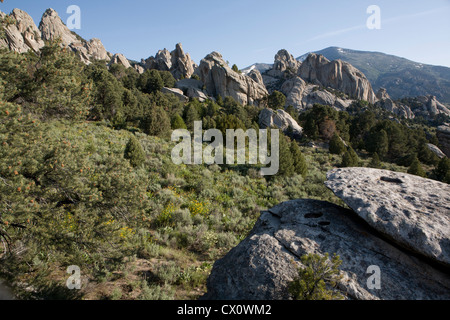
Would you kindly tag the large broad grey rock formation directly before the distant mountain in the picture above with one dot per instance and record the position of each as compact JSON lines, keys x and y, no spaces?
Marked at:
{"x":315,"y":81}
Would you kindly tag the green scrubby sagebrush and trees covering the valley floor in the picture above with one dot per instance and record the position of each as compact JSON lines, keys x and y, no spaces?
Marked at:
{"x":86,"y":177}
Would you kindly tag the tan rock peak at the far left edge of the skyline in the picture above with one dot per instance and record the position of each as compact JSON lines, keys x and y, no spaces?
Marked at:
{"x":22,"y":34}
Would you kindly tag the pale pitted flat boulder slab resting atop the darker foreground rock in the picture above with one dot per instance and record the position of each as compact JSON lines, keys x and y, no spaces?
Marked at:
{"x":412,"y":211}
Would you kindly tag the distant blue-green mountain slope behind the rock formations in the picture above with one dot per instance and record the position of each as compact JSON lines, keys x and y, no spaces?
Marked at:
{"x":401,"y":77}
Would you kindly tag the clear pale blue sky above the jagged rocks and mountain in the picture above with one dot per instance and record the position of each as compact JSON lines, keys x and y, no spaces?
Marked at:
{"x":248,"y":31}
